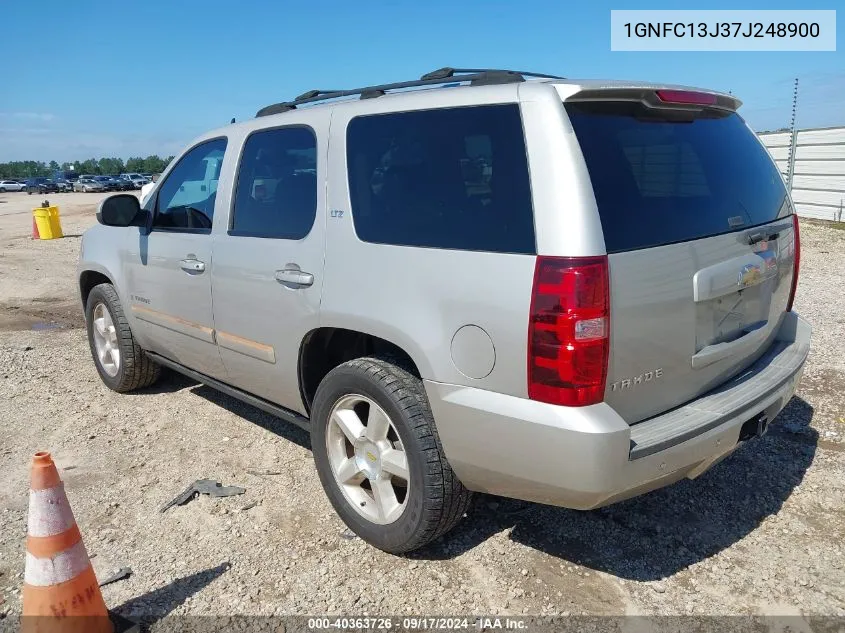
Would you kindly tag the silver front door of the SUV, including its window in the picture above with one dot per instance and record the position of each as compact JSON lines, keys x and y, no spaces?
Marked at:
{"x":168,"y":270}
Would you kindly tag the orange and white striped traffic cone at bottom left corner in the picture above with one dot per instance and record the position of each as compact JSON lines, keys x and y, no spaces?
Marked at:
{"x":60,"y":590}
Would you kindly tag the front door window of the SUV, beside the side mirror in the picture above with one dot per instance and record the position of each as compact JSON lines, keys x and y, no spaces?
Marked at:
{"x":185,"y":199}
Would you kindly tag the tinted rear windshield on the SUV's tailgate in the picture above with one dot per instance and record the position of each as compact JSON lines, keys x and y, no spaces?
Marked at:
{"x":660,"y":181}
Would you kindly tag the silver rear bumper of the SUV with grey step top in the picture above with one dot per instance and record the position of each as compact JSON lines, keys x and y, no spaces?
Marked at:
{"x":587,"y":457}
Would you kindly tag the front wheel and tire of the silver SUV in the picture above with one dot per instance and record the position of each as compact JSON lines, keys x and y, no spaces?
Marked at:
{"x":122,"y":364}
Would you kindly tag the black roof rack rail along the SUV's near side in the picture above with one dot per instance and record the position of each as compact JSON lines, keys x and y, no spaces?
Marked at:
{"x":475,"y":77}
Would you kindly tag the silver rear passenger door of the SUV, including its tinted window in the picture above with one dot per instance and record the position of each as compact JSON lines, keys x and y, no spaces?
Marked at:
{"x":268,"y":268}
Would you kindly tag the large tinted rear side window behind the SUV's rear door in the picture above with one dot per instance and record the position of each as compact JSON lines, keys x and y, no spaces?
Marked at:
{"x":452,"y":178}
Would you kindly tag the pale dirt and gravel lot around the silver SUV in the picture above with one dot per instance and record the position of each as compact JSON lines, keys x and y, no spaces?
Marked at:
{"x":762,"y":533}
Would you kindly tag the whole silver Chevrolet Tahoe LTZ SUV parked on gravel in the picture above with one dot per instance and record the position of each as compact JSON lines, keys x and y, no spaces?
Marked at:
{"x":569,"y":292}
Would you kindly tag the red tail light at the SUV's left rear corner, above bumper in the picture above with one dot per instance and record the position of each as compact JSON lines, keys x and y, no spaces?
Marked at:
{"x":568,"y":331}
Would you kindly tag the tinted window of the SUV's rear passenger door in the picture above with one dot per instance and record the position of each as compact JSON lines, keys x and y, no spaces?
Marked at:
{"x":277,"y":184}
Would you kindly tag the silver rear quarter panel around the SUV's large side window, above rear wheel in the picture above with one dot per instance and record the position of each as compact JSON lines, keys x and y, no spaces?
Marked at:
{"x":418,"y":298}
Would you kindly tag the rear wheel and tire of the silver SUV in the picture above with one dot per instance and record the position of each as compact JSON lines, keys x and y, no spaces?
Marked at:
{"x":379,"y":457}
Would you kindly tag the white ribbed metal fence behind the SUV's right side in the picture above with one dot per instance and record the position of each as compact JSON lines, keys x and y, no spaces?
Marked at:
{"x":818,"y":174}
